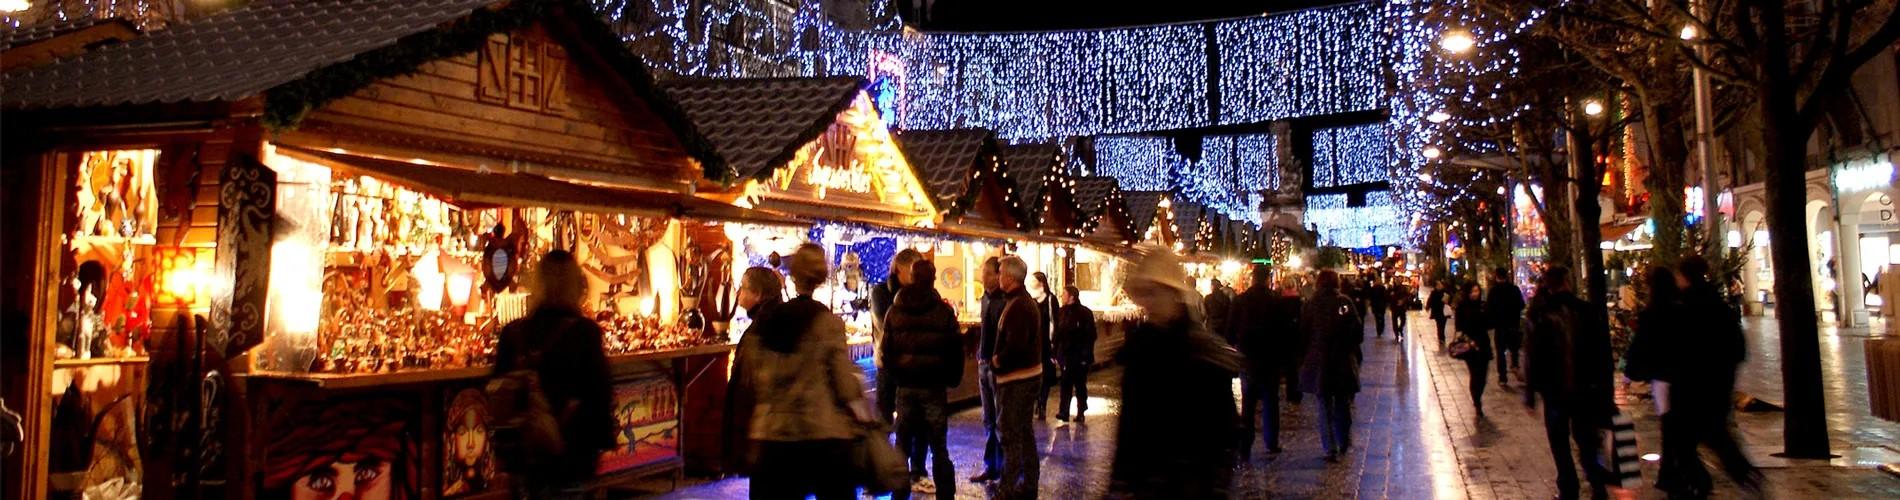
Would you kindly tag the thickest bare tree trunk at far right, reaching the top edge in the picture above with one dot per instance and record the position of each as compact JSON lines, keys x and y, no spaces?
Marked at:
{"x":1785,"y":155}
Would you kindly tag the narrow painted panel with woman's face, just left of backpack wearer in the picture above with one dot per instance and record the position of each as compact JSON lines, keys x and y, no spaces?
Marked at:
{"x":468,"y":461}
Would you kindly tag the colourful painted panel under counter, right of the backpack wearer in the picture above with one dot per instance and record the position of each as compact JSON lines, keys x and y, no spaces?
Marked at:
{"x":647,"y":425}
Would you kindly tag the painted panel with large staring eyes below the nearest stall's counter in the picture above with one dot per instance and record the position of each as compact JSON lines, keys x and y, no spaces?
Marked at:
{"x":364,"y":450}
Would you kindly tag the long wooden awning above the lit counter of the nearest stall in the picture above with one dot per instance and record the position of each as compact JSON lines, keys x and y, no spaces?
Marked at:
{"x":480,"y":189}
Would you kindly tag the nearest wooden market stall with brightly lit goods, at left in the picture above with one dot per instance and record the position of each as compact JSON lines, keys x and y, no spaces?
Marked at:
{"x":301,"y":263}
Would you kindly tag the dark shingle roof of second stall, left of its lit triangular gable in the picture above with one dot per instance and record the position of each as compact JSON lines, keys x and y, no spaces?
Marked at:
{"x":759,"y":125}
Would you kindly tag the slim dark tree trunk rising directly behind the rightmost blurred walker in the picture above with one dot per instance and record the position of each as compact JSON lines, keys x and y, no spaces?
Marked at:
{"x":1669,"y":155}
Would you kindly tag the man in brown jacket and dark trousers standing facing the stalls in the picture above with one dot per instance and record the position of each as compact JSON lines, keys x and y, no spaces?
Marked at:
{"x":1019,"y":368}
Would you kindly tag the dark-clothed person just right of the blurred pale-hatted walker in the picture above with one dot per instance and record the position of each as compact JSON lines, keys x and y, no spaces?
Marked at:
{"x":1264,"y":326}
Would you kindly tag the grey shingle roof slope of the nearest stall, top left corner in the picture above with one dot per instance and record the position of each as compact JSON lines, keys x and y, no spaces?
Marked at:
{"x":229,"y":56}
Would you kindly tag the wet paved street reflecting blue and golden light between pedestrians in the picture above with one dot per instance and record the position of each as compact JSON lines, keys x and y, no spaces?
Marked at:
{"x":1416,"y":436}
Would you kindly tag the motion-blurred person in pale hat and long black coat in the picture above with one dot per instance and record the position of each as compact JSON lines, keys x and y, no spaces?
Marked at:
{"x":1177,"y":429}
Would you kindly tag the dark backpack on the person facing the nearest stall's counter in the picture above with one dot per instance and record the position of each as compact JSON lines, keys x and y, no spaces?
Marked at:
{"x":525,"y":433}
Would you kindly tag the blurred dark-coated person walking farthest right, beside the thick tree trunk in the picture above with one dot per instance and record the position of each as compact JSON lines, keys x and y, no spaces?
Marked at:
{"x":1688,"y":343}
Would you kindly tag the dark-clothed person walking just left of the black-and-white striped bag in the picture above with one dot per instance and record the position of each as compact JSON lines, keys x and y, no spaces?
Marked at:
{"x":1568,"y":366}
